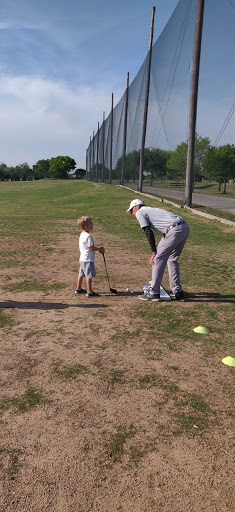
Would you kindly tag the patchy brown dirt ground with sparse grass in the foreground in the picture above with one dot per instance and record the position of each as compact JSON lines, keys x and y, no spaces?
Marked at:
{"x":101,"y":410}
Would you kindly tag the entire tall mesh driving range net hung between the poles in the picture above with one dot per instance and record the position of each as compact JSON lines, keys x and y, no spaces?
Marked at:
{"x":170,"y":89}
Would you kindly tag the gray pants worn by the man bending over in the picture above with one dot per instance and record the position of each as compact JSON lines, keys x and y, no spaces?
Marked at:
{"x":168,"y":252}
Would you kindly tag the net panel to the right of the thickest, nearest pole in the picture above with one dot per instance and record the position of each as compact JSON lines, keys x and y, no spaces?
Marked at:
{"x":217,"y":72}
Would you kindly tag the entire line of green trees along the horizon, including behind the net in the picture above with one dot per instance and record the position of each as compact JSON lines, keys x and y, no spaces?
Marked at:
{"x":210,"y":162}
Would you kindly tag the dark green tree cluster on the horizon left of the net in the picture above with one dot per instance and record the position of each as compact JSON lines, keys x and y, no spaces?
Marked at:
{"x":60,"y":167}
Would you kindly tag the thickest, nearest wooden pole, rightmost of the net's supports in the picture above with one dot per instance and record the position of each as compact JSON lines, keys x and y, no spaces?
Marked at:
{"x":193,"y":104}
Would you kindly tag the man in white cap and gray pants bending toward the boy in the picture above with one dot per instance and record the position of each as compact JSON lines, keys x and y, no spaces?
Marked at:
{"x":175,"y":232}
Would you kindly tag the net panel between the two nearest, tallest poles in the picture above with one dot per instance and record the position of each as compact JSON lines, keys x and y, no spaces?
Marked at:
{"x":170,"y":78}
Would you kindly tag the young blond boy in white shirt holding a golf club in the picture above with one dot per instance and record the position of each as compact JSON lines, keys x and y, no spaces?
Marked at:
{"x":87,"y":256}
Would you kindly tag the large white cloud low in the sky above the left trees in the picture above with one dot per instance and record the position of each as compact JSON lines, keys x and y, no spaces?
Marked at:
{"x":41,"y":119}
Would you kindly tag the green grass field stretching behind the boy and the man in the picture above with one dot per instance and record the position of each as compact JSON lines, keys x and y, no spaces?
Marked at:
{"x":207,"y":262}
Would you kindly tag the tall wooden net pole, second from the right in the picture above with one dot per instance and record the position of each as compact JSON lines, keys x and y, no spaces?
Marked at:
{"x":141,"y":168}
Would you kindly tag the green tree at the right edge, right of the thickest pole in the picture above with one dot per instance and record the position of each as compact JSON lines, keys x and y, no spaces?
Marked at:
{"x":219,"y":164}
